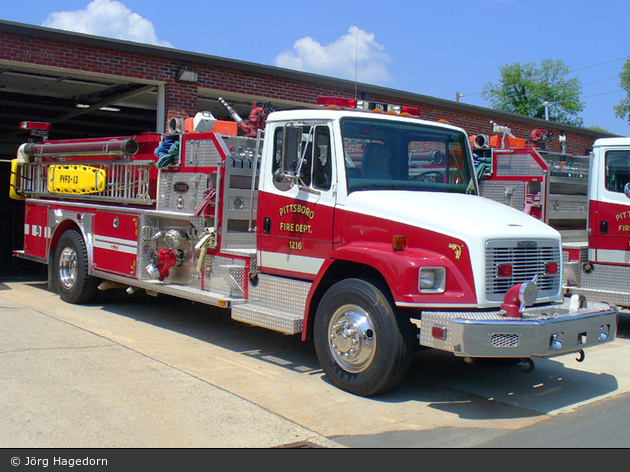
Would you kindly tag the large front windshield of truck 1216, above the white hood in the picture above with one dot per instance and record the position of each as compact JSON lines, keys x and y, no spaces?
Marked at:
{"x":391,"y":155}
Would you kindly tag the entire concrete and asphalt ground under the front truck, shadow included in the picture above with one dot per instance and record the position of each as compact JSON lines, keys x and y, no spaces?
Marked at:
{"x":144,"y":372}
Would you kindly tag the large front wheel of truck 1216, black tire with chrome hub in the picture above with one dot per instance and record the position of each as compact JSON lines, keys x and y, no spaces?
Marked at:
{"x":362,"y":345}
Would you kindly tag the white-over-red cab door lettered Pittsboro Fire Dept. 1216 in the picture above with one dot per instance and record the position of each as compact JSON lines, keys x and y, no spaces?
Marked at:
{"x":297,"y":200}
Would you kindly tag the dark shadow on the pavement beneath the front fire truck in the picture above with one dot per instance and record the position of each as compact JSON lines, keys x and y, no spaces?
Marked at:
{"x":483,"y":390}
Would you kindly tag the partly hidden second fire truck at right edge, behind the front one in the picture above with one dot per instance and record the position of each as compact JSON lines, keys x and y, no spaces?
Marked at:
{"x":587,"y":198}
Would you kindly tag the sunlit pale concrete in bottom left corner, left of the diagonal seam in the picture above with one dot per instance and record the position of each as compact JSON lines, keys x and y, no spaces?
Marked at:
{"x":64,"y":386}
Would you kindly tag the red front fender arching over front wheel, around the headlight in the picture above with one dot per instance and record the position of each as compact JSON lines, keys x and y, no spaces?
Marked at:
{"x":400,"y":270}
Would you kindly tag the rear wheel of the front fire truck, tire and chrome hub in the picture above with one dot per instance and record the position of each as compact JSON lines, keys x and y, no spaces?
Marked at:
{"x":70,"y":270}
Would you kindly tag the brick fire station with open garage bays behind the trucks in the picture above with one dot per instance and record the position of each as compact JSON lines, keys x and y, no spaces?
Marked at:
{"x":89,"y":86}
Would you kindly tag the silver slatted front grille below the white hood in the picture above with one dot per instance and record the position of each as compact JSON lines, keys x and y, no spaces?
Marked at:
{"x":527,"y":258}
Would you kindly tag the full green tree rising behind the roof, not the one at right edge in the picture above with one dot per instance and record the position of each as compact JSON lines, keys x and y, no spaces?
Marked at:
{"x":537,"y":91}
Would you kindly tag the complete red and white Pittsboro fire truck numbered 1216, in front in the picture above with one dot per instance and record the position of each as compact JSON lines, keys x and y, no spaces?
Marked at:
{"x":360,"y":230}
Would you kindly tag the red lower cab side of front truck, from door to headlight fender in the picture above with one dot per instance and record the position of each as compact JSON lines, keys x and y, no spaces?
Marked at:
{"x":366,"y":240}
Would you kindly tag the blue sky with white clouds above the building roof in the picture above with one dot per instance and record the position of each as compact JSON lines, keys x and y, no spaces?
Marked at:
{"x":432,"y":48}
